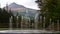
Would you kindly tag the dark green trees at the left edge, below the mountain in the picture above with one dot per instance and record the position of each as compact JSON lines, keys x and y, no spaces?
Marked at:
{"x":4,"y":16}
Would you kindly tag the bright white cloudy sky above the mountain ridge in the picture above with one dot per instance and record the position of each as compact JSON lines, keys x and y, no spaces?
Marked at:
{"x":26,"y":3}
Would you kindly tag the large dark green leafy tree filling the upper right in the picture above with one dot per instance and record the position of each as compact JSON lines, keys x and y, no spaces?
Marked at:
{"x":49,"y":8}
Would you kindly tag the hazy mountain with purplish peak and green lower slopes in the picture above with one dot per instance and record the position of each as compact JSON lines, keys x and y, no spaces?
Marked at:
{"x":15,"y":8}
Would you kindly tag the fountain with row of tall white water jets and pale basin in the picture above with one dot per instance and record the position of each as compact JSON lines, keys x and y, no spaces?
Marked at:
{"x":24,"y":31}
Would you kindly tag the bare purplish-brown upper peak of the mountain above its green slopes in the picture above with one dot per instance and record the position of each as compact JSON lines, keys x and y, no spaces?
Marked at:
{"x":14,"y":7}
